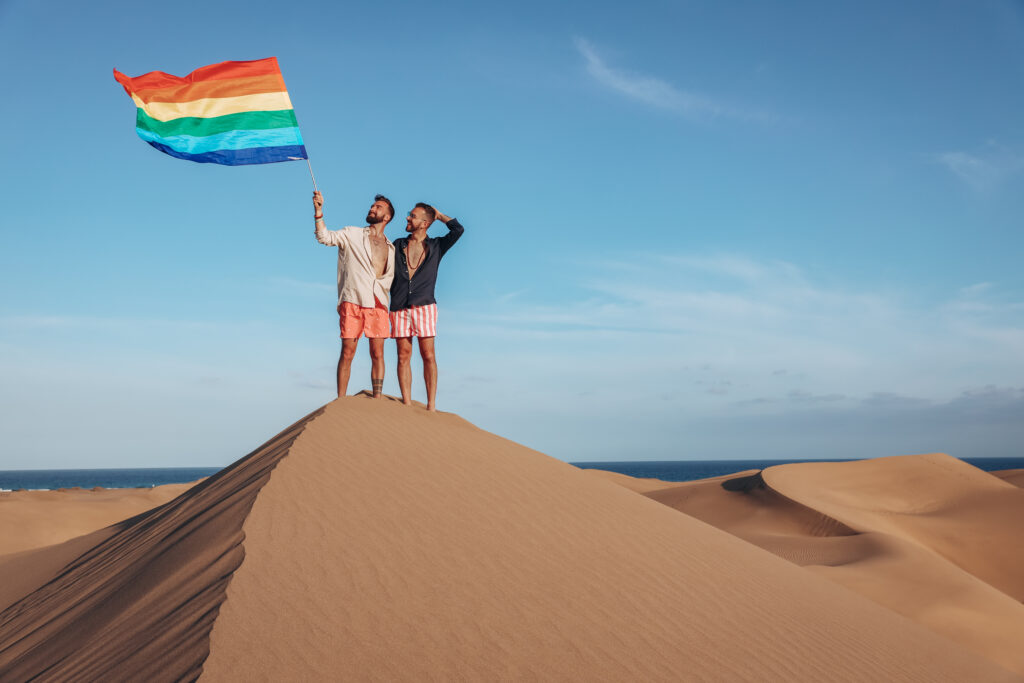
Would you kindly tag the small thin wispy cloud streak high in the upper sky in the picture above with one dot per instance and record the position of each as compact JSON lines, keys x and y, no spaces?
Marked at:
{"x":655,"y":92}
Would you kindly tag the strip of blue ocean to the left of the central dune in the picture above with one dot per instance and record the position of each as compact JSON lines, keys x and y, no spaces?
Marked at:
{"x":110,"y":479}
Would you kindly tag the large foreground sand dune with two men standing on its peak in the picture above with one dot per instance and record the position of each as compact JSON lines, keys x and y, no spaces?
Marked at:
{"x":385,"y":543}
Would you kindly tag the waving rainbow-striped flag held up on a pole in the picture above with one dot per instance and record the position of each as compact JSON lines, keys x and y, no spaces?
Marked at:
{"x":233,"y":113}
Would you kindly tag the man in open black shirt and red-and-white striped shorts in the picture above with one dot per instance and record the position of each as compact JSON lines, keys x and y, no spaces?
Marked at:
{"x":414,"y":310}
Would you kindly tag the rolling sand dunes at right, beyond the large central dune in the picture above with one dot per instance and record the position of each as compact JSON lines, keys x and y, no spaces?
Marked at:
{"x":929,"y":537}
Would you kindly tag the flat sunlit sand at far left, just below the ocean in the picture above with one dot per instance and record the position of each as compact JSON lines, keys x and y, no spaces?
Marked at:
{"x":36,"y":519}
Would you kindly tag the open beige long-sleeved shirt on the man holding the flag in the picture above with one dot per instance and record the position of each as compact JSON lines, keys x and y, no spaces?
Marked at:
{"x":357,"y":281}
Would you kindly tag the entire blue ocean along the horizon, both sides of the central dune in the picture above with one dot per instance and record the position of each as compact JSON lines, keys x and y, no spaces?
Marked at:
{"x":667,"y":471}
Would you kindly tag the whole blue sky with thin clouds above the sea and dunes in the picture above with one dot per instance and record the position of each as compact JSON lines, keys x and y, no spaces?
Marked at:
{"x":695,"y":230}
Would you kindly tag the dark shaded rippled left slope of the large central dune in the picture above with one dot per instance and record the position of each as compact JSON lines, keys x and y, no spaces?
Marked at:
{"x":137,"y":601}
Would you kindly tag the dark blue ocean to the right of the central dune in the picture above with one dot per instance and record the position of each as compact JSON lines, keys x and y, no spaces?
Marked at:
{"x":689,"y":471}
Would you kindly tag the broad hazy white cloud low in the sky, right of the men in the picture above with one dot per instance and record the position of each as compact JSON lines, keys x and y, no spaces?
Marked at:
{"x":661,"y":317}
